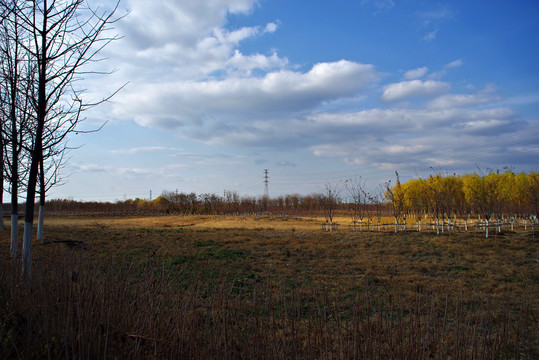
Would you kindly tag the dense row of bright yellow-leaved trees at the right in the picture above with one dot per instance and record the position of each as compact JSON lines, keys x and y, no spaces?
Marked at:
{"x":491,"y":196}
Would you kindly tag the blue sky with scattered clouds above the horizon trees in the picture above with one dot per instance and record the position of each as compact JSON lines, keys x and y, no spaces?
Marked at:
{"x":317,"y":92}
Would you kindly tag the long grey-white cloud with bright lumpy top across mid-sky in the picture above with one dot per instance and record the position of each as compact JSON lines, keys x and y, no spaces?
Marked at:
{"x":174,"y":104}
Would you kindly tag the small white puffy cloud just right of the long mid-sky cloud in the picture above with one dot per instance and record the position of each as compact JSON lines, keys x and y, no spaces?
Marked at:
{"x":413,"y":88}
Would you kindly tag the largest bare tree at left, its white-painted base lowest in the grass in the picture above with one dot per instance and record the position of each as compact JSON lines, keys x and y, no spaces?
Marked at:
{"x":63,"y":37}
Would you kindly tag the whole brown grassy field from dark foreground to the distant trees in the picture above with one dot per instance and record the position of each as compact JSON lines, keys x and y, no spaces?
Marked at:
{"x":268,"y":287}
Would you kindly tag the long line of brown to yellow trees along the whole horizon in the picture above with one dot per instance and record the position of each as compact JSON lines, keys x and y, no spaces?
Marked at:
{"x":486,"y":196}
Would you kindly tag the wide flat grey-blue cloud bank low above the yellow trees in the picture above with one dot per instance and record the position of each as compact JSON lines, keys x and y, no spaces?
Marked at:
{"x":411,"y":138}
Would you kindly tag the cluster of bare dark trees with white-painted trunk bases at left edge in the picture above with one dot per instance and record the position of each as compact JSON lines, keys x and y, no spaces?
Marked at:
{"x":45,"y":49}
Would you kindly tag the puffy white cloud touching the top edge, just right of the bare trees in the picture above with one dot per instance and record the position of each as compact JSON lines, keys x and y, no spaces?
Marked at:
{"x":187,"y":40}
